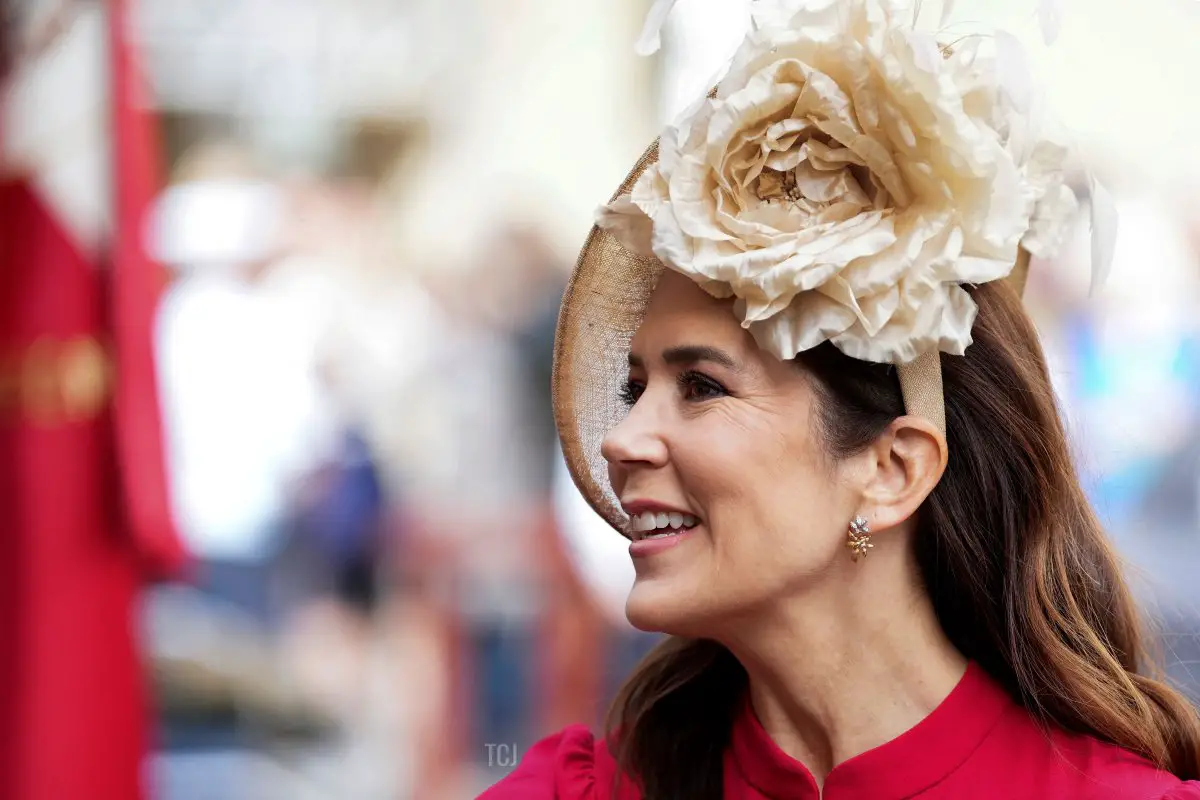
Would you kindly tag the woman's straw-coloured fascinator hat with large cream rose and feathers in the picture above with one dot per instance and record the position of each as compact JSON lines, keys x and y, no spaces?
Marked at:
{"x":844,"y":181}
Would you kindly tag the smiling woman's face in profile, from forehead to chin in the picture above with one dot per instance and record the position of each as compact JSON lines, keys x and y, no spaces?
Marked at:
{"x":722,"y":432}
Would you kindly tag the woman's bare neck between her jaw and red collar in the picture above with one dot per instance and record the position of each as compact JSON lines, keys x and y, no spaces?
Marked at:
{"x":839,"y":673}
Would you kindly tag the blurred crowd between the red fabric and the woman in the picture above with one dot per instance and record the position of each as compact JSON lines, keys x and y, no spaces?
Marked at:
{"x":365,"y":470}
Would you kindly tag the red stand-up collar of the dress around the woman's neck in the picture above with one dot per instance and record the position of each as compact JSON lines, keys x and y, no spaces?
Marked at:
{"x":902,"y":768}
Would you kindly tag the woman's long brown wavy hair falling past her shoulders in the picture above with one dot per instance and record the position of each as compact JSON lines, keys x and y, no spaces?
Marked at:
{"x":1018,"y":567}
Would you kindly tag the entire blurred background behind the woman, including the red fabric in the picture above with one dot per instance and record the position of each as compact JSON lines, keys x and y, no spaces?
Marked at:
{"x":326,"y":244}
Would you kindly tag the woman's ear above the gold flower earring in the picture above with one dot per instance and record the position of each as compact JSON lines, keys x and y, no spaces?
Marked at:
{"x":909,"y":460}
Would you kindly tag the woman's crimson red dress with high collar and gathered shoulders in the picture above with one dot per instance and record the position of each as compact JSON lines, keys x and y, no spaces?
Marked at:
{"x":977,"y":745}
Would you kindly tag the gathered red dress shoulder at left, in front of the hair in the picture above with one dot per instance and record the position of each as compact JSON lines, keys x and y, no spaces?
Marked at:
{"x":572,"y":765}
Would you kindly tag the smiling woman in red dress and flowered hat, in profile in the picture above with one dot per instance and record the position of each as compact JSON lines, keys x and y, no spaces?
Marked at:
{"x":879,"y":573}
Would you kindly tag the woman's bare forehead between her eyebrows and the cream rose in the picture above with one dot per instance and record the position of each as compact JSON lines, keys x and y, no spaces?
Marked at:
{"x":681,"y":312}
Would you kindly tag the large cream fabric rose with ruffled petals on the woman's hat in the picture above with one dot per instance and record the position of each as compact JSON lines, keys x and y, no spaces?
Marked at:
{"x":845,"y":179}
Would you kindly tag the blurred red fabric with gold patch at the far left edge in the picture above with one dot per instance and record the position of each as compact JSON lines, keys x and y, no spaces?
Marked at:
{"x":83,"y":490}
